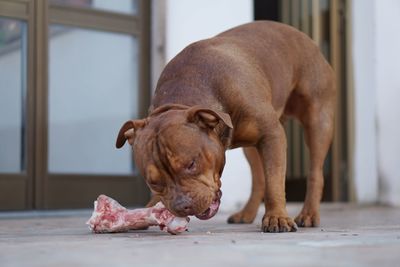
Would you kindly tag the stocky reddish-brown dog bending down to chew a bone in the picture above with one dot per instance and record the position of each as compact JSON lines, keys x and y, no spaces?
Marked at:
{"x":230,"y":91}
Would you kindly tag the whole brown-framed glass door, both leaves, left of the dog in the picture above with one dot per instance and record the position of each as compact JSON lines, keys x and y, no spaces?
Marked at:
{"x":65,"y":90}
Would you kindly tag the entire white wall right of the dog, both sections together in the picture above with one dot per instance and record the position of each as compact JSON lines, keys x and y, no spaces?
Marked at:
{"x":376,"y":57}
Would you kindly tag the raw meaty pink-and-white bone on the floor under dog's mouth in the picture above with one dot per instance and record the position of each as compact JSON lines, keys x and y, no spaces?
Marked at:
{"x":109,"y":217}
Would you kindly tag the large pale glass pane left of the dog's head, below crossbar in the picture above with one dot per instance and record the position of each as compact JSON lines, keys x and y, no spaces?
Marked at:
{"x":93,"y":89}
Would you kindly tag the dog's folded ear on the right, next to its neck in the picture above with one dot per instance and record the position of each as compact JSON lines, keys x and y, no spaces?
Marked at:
{"x":208,"y":118}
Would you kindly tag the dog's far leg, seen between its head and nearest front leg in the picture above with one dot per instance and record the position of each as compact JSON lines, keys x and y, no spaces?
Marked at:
{"x":249,"y":212}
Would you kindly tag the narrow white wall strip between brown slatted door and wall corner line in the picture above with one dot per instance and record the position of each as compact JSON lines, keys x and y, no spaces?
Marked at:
{"x":365,"y":156}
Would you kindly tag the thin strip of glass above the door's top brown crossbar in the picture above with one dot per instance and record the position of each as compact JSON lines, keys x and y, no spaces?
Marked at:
{"x":120,"y":6}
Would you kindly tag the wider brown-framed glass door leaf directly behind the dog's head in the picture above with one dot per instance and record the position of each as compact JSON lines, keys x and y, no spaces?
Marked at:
{"x":94,"y":52}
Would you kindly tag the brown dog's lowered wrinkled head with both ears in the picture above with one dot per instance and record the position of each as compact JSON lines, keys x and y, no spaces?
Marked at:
{"x":181,"y":154}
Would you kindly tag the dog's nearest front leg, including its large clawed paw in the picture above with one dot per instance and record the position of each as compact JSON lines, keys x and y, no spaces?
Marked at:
{"x":272,"y":148}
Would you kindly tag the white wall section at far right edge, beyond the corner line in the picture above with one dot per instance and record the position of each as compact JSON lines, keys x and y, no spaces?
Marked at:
{"x":387,"y":15}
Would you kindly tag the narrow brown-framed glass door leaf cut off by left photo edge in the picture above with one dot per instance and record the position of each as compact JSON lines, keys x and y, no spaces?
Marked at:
{"x":16,"y":109}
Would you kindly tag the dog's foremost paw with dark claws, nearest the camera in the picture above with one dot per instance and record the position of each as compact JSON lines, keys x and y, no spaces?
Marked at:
{"x":277,"y":223}
